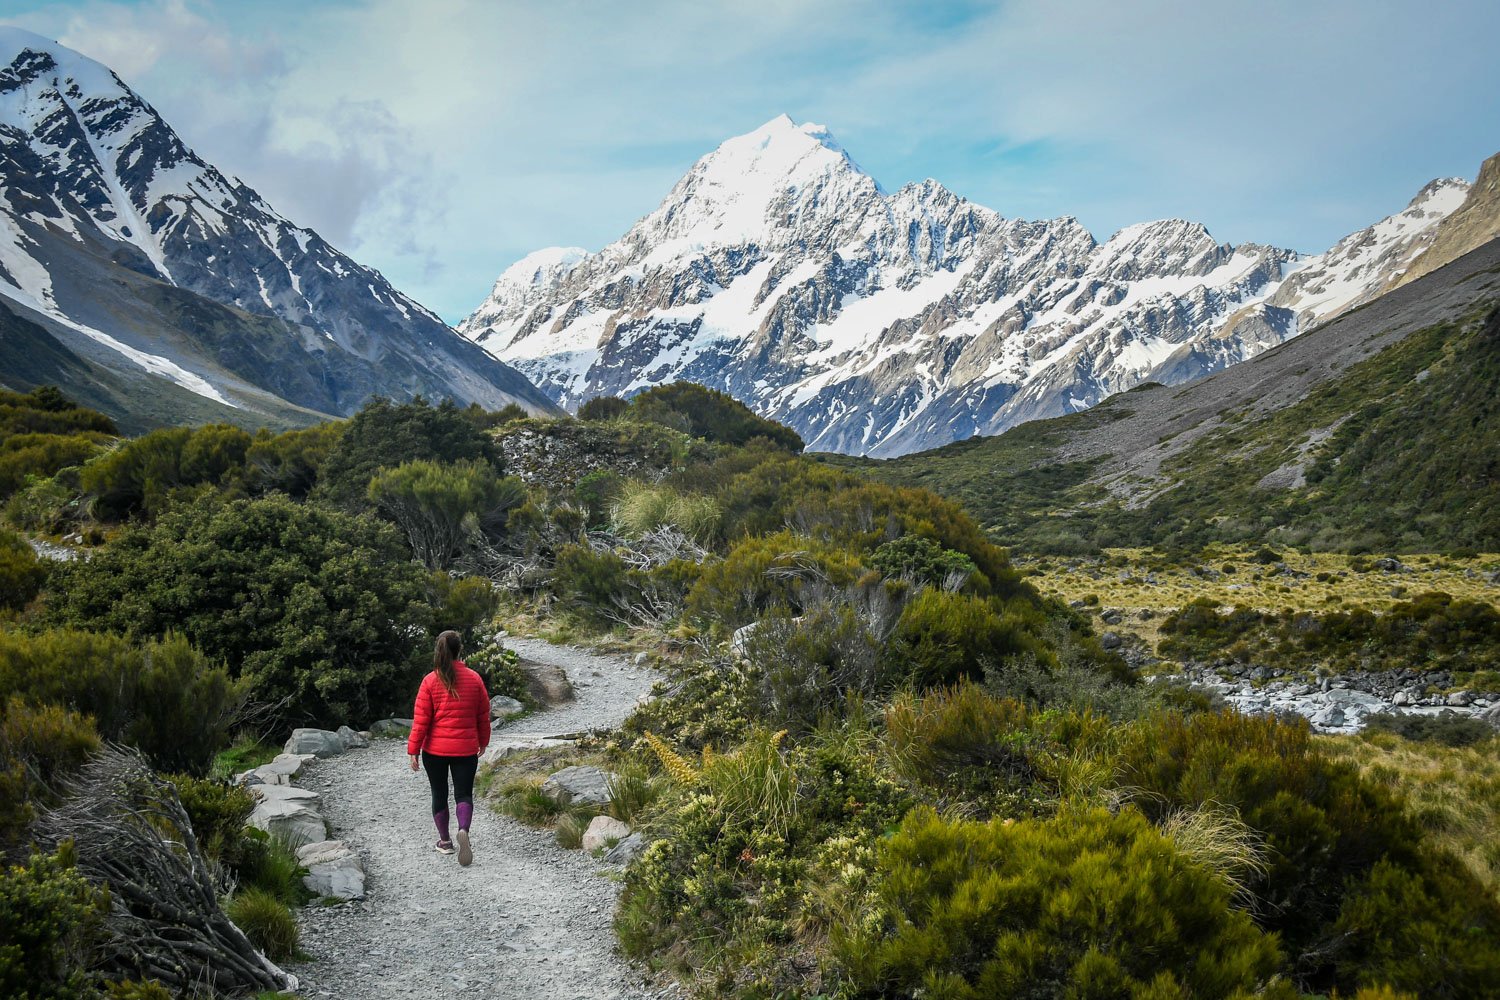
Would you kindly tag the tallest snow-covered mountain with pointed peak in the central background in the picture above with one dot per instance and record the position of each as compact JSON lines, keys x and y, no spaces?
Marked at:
{"x":883,"y":323}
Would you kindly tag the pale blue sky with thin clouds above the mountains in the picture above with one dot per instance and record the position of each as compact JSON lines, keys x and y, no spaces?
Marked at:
{"x":440,"y":140}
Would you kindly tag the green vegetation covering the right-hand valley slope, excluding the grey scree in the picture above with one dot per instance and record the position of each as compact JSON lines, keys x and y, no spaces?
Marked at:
{"x":1399,"y":454}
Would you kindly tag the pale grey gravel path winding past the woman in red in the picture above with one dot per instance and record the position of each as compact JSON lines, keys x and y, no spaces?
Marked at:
{"x":526,"y":921}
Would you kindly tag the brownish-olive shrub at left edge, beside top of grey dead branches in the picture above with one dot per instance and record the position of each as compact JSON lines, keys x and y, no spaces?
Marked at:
{"x":40,"y":746}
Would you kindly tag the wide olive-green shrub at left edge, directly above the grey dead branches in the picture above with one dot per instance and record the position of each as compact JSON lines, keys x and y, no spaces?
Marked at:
{"x":164,"y":698}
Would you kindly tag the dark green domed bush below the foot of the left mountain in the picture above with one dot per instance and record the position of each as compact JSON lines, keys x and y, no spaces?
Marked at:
{"x":385,"y":436}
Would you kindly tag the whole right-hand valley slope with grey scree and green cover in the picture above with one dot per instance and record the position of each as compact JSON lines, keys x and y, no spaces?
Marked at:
{"x":1378,"y":431}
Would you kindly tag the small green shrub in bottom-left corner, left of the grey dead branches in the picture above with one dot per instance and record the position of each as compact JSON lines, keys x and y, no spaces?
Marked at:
{"x":50,"y":920}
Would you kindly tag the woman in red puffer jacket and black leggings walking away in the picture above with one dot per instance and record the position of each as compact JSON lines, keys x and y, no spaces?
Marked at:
{"x":451,"y":729}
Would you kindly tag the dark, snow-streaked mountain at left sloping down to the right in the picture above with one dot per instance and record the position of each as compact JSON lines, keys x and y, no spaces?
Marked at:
{"x":140,"y":257}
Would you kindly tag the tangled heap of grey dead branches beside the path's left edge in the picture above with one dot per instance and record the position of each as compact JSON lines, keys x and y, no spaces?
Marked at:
{"x":133,"y":834}
